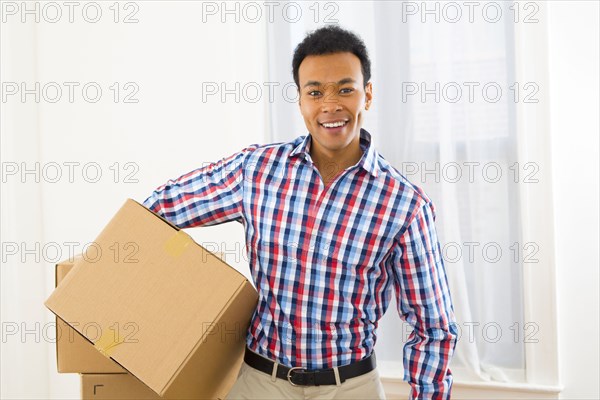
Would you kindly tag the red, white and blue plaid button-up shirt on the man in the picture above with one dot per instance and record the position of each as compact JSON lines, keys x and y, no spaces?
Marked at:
{"x":326,"y":260}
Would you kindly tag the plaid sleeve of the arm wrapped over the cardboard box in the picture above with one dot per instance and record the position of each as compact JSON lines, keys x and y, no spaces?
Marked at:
{"x":208,"y":195}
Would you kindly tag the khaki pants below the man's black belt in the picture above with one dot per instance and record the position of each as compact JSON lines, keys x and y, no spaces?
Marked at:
{"x":254,"y":384}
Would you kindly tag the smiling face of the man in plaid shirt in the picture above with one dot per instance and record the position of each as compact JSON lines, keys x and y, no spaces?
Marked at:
{"x":332,"y":91}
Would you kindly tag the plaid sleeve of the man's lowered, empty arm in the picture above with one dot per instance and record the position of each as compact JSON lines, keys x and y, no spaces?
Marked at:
{"x":424,"y":301}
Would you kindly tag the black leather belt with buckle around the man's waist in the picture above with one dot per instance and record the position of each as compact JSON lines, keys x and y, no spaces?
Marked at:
{"x":315,"y":377}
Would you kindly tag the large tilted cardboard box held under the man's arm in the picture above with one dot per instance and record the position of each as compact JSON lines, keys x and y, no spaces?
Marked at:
{"x":171,"y":313}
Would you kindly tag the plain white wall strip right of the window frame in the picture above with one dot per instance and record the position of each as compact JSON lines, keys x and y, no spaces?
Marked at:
{"x":573,"y":51}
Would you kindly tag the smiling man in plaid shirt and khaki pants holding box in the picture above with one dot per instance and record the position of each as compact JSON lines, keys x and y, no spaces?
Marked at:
{"x":332,"y":231}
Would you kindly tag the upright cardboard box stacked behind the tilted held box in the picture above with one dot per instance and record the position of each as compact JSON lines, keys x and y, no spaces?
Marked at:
{"x":74,"y":353}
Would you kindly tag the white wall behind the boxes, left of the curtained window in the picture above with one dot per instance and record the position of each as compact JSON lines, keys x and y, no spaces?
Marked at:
{"x":170,"y":131}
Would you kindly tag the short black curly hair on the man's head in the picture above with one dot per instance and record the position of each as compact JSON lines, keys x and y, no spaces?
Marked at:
{"x":328,"y":40}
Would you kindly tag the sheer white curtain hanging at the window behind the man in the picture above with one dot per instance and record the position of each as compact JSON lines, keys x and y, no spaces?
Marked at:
{"x":432,"y":142}
